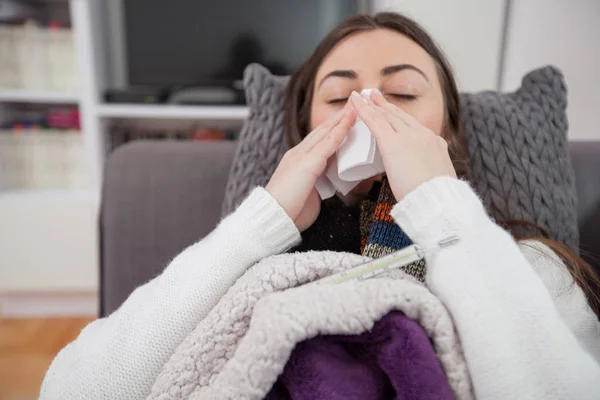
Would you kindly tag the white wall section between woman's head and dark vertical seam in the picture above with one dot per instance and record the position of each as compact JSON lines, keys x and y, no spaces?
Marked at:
{"x":469,"y":31}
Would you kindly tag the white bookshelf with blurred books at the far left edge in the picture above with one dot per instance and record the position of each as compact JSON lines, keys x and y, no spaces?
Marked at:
{"x":49,"y":247}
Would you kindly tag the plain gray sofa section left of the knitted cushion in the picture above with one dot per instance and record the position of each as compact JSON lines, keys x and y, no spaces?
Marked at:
{"x":157,"y":199}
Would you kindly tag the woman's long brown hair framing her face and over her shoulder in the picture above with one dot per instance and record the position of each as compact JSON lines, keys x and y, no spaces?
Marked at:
{"x":298,"y":101}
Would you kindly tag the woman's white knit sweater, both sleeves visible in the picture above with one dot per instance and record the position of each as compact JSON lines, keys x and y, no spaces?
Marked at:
{"x":527,"y":332}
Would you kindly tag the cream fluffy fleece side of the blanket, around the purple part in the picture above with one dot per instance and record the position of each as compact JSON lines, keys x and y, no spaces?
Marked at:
{"x":242,"y":346}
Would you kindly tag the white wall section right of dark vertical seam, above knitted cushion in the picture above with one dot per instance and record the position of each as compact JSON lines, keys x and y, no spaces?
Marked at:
{"x":565,"y":34}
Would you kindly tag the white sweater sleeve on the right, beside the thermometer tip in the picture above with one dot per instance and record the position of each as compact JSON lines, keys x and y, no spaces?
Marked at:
{"x":516,"y":344}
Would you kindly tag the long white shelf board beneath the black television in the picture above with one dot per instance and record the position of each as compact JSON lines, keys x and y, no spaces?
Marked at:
{"x":168,"y":111}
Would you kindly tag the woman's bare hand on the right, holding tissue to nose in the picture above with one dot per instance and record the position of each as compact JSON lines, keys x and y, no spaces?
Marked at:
{"x":411,"y":153}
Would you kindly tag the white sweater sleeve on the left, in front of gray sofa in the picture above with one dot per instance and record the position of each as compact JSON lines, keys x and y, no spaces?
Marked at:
{"x":119,"y":357}
